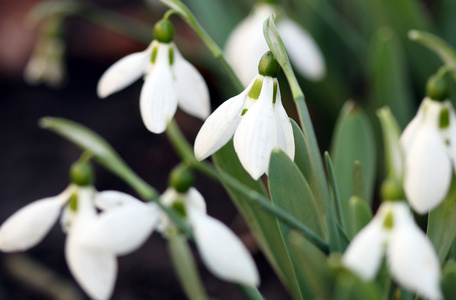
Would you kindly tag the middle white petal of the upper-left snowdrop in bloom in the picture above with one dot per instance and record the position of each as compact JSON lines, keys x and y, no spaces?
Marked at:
{"x":158,"y":100}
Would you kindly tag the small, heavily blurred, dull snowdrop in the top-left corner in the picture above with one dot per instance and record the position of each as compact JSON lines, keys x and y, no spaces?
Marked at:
{"x":46,"y":63}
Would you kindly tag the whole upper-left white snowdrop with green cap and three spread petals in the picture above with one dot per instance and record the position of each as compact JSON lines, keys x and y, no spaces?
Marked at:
{"x":169,"y":80}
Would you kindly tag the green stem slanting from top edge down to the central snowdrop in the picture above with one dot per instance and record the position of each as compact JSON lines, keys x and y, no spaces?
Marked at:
{"x":190,"y":19}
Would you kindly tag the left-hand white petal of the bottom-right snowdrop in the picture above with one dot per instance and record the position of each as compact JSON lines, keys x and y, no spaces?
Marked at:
{"x":364,"y":254}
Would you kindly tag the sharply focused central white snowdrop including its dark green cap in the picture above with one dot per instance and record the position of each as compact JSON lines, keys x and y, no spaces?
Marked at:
{"x":257,"y":119}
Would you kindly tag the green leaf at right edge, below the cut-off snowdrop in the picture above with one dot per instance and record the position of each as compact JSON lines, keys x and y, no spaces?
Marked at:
{"x":441,"y":228}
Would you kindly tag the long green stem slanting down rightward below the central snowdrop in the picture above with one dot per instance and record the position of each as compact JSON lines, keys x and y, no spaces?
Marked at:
{"x":186,"y":153}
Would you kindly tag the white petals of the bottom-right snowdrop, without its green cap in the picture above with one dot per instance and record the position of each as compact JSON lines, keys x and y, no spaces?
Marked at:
{"x":410,"y":256}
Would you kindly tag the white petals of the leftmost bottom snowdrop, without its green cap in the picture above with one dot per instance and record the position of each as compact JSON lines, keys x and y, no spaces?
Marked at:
{"x":93,"y":266}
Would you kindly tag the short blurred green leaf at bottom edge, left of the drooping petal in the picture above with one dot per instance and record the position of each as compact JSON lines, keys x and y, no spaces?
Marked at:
{"x":185,"y":267}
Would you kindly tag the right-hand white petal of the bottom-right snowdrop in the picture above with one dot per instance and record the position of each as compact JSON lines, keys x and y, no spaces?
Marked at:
{"x":411,"y":258}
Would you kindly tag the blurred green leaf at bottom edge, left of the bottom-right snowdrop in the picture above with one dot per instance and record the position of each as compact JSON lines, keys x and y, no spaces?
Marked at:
{"x":311,"y":263}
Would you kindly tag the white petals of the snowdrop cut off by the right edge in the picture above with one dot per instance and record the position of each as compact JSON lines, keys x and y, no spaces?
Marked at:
{"x":429,"y":143}
